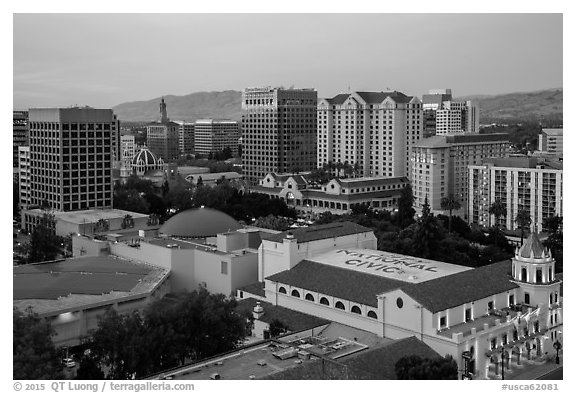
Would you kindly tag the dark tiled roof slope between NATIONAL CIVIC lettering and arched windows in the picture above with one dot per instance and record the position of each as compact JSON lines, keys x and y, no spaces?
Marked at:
{"x":334,"y":281}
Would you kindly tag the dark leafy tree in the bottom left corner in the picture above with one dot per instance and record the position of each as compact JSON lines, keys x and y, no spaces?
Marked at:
{"x":34,"y":354}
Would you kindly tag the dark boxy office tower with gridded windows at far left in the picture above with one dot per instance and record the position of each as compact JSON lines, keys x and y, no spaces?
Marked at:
{"x":71,"y":154}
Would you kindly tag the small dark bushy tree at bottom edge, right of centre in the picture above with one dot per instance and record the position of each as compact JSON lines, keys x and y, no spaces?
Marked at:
{"x":416,"y":368}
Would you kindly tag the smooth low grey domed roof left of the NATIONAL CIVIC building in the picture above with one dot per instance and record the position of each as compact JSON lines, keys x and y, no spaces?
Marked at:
{"x":201,"y":222}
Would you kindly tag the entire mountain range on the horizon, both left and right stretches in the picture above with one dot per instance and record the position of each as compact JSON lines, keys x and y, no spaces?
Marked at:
{"x":524,"y":106}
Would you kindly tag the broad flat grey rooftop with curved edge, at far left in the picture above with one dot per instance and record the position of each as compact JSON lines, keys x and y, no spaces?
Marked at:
{"x":68,"y":285}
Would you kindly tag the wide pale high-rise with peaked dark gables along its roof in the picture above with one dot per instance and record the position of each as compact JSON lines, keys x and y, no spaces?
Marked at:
{"x":373,"y":131}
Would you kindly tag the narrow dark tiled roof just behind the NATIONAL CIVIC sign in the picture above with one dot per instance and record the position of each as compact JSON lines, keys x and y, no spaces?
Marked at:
{"x":318,"y":232}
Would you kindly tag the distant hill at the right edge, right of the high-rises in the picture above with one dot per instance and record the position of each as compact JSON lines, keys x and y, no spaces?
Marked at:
{"x":545,"y":105}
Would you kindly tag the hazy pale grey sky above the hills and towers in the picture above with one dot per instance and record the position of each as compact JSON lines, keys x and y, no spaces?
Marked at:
{"x":103,"y":60}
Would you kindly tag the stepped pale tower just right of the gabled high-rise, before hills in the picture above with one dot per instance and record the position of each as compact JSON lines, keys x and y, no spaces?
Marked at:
{"x":443,"y":115}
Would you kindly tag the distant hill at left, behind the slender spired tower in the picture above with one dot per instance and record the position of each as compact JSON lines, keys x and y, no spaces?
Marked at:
{"x":215,"y":104}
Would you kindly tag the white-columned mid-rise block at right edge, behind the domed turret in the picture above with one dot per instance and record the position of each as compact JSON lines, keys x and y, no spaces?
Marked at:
{"x":519,"y":183}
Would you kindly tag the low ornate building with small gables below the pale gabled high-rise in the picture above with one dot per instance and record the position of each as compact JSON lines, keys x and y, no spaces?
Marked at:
{"x":338,"y":196}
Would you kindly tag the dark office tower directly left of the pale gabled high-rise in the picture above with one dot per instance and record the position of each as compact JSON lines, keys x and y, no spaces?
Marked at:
{"x":279,"y":131}
